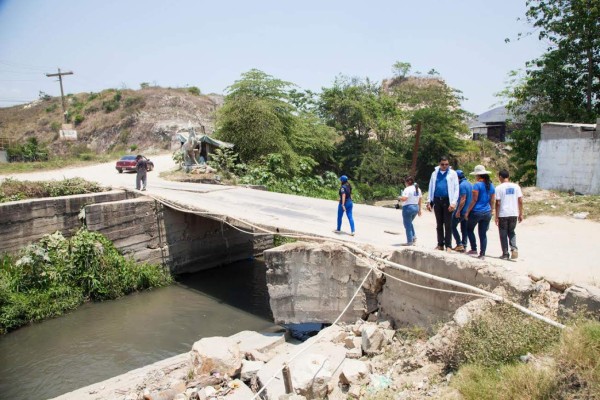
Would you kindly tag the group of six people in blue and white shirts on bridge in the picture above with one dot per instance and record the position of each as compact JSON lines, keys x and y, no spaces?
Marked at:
{"x":459,"y":206}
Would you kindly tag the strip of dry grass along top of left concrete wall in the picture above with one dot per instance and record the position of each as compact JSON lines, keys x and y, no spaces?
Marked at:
{"x":13,"y":190}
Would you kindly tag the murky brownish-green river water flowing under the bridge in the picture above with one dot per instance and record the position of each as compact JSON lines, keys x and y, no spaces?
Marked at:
{"x":101,"y":340}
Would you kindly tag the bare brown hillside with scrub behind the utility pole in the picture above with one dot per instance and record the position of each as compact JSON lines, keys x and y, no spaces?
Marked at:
{"x":112,"y":120}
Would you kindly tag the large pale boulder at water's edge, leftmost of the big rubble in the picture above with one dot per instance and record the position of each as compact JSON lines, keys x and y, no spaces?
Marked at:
{"x":216,"y":354}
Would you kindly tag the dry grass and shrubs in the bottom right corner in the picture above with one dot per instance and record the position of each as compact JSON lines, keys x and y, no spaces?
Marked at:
{"x":565,"y":364}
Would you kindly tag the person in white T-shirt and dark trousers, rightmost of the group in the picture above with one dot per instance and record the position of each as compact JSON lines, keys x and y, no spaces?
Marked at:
{"x":509,"y":211}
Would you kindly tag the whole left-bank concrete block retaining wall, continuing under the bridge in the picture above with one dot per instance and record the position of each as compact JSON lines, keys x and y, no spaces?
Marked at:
{"x":140,"y":227}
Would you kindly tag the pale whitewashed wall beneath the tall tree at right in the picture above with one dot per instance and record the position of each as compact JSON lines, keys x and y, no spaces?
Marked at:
{"x":569,"y":158}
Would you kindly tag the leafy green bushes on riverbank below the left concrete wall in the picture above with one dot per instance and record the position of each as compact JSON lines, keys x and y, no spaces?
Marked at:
{"x":57,"y":274}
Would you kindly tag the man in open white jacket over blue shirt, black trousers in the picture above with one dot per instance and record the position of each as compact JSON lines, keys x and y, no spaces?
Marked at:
{"x":443,"y":196}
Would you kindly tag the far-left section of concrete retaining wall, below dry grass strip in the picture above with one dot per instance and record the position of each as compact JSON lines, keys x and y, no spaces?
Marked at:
{"x":23,"y":222}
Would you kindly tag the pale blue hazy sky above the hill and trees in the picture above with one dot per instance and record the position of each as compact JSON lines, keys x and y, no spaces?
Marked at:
{"x":209,"y":44}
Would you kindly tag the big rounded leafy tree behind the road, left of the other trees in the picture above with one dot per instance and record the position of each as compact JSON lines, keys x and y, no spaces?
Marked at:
{"x":263,"y":115}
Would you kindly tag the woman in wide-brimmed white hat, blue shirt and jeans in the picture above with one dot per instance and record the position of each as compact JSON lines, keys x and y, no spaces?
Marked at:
{"x":479,"y":212}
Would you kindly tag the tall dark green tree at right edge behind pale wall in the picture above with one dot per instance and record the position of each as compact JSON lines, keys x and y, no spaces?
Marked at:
{"x":561,"y":85}
